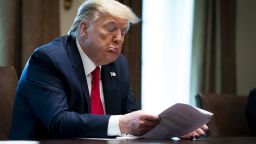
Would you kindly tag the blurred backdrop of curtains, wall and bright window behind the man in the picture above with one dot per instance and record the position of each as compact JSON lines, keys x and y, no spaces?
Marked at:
{"x":179,"y":49}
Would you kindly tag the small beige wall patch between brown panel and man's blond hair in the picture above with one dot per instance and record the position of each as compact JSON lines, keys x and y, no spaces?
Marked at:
{"x":67,"y":16}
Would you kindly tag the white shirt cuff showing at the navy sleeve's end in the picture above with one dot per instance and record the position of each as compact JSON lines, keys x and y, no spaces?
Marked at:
{"x":113,"y":126}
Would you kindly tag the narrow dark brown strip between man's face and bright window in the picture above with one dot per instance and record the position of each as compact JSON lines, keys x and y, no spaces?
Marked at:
{"x":132,"y":49}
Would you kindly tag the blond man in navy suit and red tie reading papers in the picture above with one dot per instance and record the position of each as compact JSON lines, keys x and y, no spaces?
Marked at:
{"x":60,"y":93}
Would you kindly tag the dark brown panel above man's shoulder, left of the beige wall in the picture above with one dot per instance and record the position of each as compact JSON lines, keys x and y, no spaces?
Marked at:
{"x":40,"y":24}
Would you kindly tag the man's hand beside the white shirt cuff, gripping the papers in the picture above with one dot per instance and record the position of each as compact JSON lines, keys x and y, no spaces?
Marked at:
{"x":137,"y":123}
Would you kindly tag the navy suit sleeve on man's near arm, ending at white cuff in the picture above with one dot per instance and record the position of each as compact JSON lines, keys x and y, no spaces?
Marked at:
{"x":47,"y":97}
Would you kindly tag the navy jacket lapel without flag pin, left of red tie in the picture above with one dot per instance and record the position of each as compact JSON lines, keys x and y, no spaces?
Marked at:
{"x":78,"y":68}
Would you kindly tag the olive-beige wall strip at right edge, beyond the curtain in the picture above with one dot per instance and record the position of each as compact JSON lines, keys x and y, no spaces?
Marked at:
{"x":246,"y":46}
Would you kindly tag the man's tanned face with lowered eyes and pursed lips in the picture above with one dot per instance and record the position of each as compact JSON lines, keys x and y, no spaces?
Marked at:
{"x":102,"y":40}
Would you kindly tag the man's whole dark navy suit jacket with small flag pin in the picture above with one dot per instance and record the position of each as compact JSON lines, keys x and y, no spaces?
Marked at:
{"x":52,"y":98}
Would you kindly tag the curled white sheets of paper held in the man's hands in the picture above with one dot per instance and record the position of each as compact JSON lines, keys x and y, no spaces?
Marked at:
{"x":177,"y":121}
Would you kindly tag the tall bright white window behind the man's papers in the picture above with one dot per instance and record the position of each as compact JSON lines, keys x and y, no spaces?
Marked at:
{"x":166,"y":51}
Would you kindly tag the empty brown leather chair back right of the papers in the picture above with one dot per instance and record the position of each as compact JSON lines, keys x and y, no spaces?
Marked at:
{"x":229,"y":115}
